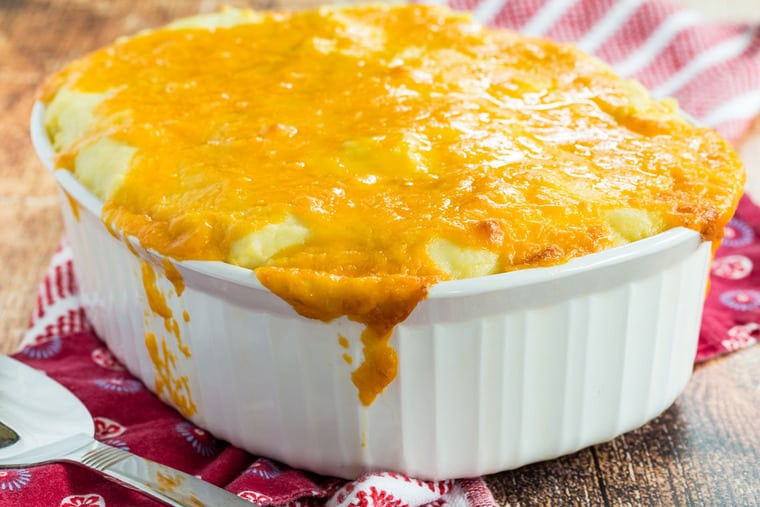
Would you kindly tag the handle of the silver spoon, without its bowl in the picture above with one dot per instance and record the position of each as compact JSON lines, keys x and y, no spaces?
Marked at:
{"x":160,"y":482}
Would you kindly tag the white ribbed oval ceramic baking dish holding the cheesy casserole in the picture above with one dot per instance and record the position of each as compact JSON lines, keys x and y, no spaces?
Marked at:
{"x":494,"y":372}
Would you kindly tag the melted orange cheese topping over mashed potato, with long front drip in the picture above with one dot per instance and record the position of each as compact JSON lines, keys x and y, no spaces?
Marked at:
{"x":355,"y":156}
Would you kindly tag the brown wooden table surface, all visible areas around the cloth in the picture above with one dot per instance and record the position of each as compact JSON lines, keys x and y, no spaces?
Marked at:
{"x":704,"y":450}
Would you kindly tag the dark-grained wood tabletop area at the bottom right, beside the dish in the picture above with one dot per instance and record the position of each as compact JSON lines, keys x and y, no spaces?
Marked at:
{"x":704,"y":450}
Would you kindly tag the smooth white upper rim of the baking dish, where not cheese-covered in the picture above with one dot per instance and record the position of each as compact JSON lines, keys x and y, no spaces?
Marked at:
{"x":669,"y":239}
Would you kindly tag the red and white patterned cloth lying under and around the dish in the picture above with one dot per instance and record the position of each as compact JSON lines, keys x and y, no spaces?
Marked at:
{"x":713,"y":70}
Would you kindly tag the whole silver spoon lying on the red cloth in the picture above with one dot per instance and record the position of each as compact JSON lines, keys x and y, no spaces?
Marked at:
{"x":43,"y":422}
